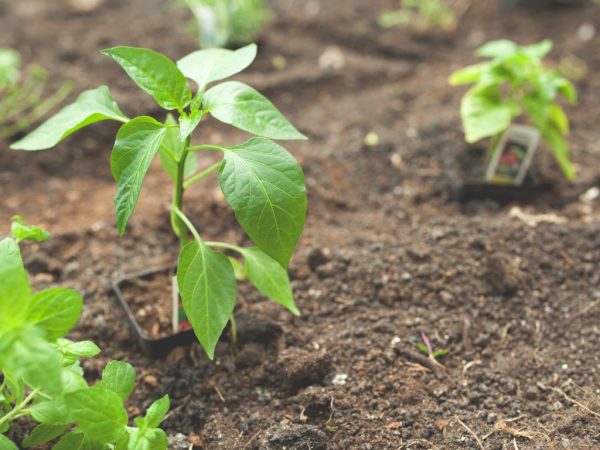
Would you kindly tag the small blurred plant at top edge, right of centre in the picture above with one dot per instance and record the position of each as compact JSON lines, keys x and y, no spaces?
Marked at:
{"x":421,"y":14}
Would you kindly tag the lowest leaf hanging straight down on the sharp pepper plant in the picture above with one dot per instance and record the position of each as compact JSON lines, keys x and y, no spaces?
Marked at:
{"x":208,"y":291}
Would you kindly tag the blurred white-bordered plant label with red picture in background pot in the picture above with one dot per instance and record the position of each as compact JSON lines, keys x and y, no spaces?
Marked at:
{"x":512,"y":157}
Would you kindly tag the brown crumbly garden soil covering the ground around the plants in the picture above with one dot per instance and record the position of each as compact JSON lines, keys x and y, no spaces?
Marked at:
{"x":511,"y":291}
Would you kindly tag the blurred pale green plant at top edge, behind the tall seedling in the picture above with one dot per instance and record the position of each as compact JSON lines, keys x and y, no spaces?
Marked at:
{"x":228,"y":23}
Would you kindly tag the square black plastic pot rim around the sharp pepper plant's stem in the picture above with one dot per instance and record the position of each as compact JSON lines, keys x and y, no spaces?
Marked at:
{"x":158,"y":347}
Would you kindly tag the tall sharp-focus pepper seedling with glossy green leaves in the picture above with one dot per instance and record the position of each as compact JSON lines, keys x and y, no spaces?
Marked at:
{"x":260,"y":180}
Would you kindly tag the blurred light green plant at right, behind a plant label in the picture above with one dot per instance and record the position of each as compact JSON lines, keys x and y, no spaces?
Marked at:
{"x":512,"y":84}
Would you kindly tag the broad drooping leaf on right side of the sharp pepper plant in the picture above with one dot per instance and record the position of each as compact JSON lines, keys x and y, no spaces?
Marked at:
{"x":265,"y":187}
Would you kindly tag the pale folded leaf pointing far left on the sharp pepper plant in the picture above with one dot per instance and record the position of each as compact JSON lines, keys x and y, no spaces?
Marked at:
{"x":90,"y":107}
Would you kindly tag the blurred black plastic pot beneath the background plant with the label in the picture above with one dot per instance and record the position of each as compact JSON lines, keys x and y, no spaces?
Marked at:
{"x":465,"y":177}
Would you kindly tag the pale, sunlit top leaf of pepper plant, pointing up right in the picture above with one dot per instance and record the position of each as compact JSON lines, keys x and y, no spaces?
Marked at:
{"x":206,"y":66}
